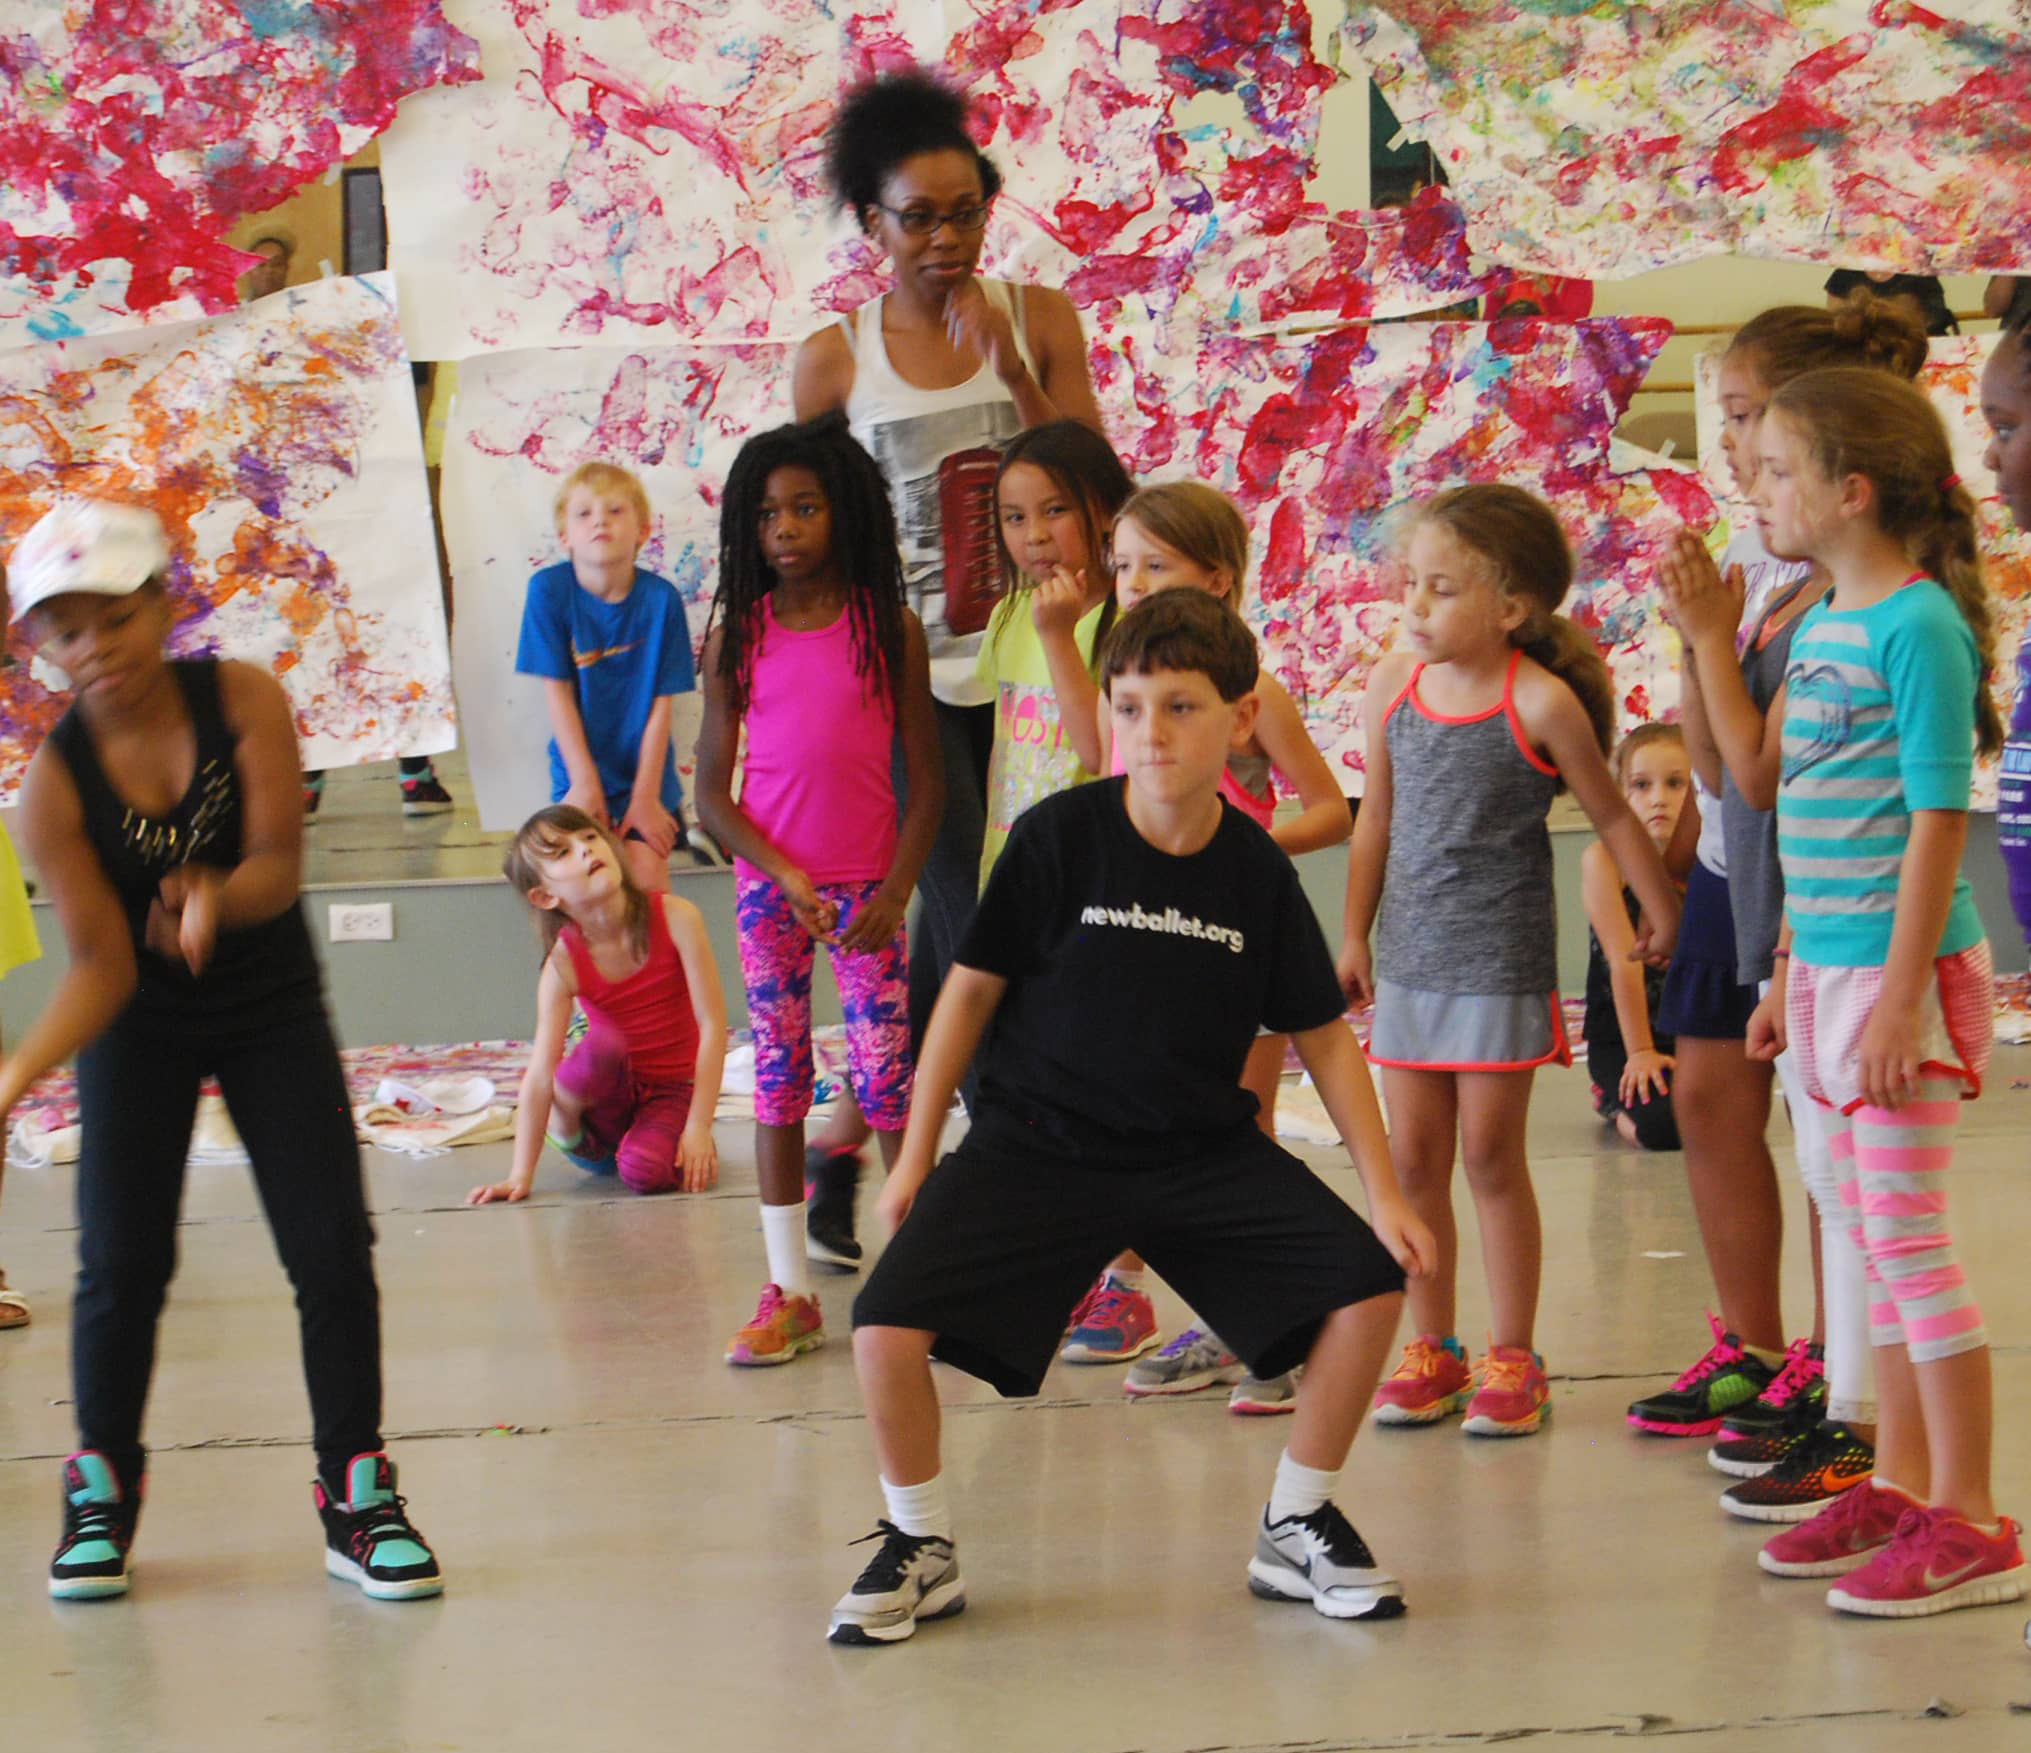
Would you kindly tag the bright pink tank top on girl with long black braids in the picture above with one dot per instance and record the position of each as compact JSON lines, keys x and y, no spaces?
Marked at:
{"x":822,"y":736}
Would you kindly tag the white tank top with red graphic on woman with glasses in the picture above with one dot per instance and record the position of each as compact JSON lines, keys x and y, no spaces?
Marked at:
{"x":939,"y":452}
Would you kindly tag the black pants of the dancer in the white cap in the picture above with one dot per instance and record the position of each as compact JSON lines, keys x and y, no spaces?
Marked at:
{"x":285,"y":1090}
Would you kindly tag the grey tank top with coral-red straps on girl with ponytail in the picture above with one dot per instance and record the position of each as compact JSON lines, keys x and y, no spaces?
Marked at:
{"x":1467,"y":891}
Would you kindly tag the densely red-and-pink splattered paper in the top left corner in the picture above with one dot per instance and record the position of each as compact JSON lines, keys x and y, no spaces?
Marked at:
{"x":135,"y":133}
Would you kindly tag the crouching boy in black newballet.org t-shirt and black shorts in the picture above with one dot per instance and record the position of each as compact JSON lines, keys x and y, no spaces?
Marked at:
{"x":1130,"y":944}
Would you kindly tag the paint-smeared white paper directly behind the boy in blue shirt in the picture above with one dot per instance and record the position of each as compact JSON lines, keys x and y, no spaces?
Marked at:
{"x":525,"y":421}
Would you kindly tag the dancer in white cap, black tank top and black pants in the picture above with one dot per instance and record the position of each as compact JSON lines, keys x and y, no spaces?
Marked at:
{"x":163,"y":818}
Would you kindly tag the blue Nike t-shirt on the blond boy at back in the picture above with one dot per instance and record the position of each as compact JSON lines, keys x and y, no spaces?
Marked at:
{"x":625,"y":657}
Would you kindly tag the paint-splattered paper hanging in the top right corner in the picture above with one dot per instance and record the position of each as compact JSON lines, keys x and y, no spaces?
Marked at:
{"x":1601,"y":141}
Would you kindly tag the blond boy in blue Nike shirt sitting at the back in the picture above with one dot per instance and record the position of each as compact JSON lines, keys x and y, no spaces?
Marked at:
{"x":614,"y":651}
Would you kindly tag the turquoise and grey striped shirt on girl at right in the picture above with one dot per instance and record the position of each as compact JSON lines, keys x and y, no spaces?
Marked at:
{"x":1880,"y":722}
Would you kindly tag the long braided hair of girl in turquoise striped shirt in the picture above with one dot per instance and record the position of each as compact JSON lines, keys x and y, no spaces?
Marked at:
{"x":1874,"y":426}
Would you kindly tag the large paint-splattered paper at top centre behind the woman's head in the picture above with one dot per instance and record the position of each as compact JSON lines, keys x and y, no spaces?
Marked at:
{"x":653,"y":174}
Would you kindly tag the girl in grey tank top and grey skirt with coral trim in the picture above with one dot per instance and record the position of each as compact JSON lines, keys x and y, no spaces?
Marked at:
{"x":1492,"y":706}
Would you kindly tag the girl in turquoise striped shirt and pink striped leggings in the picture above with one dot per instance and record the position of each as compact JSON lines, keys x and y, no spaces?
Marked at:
{"x":1884,"y":982}
